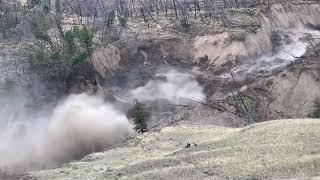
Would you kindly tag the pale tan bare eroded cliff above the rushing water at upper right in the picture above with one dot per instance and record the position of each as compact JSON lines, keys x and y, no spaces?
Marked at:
{"x":250,"y":34}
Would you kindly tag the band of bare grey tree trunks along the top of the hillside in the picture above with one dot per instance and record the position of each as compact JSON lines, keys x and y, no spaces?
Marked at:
{"x":110,"y":17}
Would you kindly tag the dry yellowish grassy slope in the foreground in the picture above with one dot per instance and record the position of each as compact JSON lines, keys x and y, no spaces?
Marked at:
{"x":276,"y":149}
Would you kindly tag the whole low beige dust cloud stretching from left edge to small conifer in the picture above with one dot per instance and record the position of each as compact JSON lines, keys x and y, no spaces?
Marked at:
{"x":79,"y":125}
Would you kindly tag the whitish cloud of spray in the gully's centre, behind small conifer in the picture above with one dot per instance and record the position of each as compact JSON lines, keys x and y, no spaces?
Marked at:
{"x":176,"y":87}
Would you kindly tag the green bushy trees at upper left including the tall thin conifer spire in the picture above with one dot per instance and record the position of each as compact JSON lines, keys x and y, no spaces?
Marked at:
{"x":57,"y":51}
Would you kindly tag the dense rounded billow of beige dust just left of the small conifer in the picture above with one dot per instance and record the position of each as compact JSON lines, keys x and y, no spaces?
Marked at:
{"x":83,"y":124}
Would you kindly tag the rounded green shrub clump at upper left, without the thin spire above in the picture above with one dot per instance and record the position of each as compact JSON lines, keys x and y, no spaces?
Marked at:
{"x":56,"y":60}
